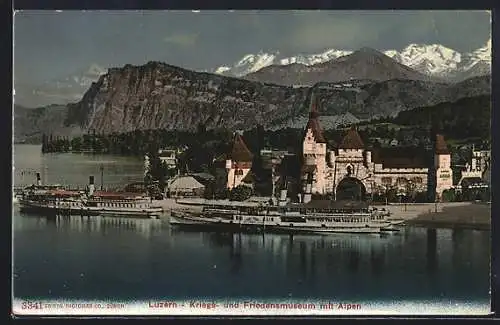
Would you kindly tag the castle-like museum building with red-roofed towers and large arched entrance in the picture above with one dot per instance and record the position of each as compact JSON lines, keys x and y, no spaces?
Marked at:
{"x":352,"y":170}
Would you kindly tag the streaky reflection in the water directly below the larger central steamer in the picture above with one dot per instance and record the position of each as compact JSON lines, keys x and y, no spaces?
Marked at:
{"x":301,"y":254}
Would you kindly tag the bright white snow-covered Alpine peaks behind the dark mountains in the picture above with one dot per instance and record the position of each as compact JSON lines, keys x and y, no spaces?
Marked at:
{"x":434,"y":59}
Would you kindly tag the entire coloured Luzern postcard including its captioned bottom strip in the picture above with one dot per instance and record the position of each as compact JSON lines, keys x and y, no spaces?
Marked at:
{"x":251,"y":163}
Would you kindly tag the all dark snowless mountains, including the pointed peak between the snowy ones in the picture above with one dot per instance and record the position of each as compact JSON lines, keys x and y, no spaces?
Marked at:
{"x":362,"y":85}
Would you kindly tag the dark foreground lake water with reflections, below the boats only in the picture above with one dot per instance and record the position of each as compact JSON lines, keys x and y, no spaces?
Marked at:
{"x":246,"y":264}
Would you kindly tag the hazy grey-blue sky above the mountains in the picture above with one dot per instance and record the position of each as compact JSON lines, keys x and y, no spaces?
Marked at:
{"x":50,"y":46}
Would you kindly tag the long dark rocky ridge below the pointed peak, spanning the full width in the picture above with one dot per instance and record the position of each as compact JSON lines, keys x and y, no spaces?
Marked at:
{"x":157,"y":95}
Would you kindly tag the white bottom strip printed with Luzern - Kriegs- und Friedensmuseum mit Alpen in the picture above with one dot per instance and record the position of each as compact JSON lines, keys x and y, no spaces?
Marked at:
{"x":245,"y":307}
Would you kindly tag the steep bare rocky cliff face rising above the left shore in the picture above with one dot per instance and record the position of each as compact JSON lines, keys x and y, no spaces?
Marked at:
{"x":157,"y":95}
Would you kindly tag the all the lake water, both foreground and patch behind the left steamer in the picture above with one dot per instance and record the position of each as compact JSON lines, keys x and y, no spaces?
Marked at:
{"x":110,"y":259}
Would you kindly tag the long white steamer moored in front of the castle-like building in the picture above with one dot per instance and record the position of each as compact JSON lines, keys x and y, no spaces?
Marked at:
{"x":313,"y":217}
